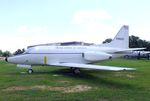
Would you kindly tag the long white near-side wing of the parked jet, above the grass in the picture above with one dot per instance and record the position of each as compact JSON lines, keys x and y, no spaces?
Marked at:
{"x":78,"y":65}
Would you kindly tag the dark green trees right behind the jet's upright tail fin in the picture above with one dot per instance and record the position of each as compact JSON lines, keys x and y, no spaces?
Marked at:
{"x":134,"y":42}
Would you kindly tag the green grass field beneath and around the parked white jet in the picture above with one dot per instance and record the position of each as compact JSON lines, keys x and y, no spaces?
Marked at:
{"x":105,"y":85}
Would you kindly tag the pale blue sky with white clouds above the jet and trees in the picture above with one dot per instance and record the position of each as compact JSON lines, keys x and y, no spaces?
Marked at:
{"x":30,"y":22}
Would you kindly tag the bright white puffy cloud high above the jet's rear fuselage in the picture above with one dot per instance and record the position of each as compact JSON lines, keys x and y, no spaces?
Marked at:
{"x":85,"y":16}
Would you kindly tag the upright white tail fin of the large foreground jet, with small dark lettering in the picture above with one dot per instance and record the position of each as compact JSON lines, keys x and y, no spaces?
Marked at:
{"x":121,"y":40}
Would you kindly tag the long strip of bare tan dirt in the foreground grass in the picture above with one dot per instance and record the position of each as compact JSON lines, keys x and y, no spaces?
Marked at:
{"x":69,"y":89}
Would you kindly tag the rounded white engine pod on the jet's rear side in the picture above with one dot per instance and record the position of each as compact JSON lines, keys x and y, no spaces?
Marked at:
{"x":96,"y":56}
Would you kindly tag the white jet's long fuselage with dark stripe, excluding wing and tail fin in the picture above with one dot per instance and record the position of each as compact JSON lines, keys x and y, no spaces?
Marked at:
{"x":42,"y":55}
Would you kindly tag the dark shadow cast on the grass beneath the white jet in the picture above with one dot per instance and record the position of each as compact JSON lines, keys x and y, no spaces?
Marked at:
{"x":88,"y":77}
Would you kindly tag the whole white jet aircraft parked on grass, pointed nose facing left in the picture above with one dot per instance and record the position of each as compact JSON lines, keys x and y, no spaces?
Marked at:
{"x":76,"y":57}
